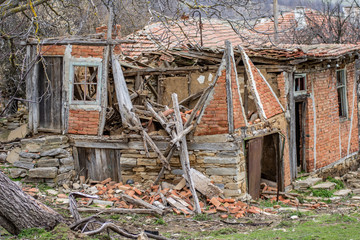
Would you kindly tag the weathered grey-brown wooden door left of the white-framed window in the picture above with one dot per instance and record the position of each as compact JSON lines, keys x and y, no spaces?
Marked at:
{"x":50,"y":84}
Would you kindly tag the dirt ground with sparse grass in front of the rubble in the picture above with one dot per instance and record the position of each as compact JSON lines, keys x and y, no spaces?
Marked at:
{"x":213,"y":226}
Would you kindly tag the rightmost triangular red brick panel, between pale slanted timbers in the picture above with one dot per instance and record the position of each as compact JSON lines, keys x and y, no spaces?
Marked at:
{"x":268,"y":100}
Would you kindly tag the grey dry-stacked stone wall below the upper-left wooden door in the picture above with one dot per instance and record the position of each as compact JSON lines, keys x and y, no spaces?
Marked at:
{"x":44,"y":160}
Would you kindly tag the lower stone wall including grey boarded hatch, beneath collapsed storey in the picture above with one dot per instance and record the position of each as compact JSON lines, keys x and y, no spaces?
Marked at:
{"x":223,"y":163}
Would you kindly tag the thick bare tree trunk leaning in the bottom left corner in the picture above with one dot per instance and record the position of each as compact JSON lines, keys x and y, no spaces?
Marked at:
{"x":19,"y":211}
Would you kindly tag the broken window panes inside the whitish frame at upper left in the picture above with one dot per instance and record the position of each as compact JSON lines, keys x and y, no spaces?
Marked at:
{"x":85,"y":83}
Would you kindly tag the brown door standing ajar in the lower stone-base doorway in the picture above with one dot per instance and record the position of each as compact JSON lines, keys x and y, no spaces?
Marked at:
{"x":254,"y":155}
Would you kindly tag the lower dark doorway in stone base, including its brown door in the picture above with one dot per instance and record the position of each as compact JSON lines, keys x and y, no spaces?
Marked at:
{"x":263,"y":161}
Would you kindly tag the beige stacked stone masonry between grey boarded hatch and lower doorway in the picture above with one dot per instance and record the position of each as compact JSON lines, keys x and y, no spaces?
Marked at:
{"x":226,"y":168}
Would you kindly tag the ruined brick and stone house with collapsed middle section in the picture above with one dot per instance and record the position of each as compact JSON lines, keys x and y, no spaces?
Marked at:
{"x":251,"y":115}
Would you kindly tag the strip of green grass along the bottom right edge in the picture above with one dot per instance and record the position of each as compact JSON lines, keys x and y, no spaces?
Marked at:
{"x":335,"y":226}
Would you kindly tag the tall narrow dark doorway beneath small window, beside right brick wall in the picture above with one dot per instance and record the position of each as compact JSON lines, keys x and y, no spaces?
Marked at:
{"x":300,"y":135}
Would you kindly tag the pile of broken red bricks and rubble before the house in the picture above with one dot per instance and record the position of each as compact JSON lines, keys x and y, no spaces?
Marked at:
{"x":160,"y":199}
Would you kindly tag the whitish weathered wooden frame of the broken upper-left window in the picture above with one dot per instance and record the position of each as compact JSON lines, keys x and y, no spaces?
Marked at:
{"x":98,"y":87}
